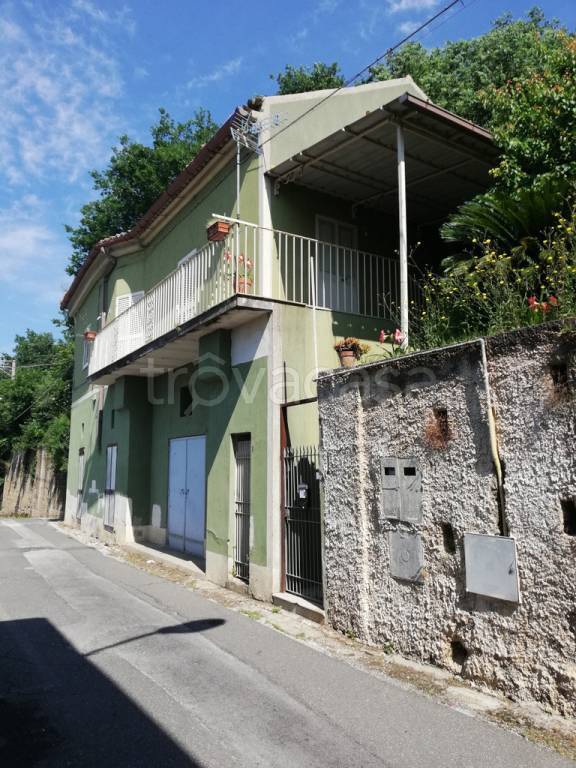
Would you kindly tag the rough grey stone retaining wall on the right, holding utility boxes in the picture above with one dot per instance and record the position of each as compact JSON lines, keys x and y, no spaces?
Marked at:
{"x":434,"y":410}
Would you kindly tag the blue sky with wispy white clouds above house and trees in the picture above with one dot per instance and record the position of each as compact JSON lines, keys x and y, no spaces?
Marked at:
{"x":74,"y":75}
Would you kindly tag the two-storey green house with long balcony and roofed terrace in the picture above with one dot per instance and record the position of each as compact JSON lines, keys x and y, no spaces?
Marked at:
{"x":194,"y":417}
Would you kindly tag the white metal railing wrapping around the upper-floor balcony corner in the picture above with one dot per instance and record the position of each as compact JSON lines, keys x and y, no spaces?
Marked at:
{"x":303,"y":271}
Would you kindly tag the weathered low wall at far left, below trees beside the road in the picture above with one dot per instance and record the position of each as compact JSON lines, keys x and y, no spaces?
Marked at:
{"x":32,"y":488}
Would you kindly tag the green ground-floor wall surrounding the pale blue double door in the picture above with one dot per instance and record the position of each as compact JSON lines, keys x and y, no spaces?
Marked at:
{"x":221,"y":412}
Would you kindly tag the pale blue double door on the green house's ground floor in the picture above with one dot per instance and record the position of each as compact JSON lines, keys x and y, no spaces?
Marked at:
{"x":187,"y":495}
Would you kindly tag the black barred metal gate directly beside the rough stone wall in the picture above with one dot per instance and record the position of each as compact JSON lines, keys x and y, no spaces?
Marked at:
{"x":302,"y":527}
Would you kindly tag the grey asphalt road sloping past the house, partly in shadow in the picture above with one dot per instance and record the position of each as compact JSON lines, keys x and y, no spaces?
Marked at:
{"x":105,"y":665}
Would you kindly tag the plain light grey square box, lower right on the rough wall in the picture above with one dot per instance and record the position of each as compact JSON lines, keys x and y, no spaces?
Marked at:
{"x":491,"y":566}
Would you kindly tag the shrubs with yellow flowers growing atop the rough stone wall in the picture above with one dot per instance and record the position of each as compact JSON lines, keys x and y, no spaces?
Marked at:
{"x":499,"y":292}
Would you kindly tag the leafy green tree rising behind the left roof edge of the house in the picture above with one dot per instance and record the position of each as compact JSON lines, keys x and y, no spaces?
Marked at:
{"x":135,"y":177}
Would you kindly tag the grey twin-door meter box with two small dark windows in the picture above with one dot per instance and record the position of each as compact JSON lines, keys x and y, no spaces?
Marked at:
{"x":401,"y":490}
